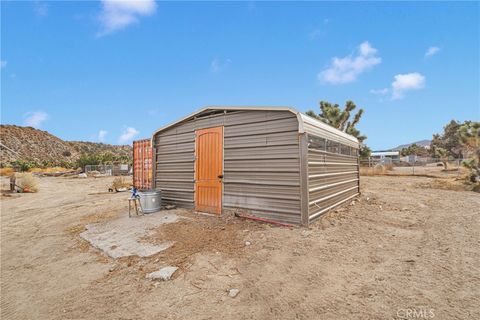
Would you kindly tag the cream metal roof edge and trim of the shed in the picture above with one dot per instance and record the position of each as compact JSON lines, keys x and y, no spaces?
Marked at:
{"x":305,"y":123}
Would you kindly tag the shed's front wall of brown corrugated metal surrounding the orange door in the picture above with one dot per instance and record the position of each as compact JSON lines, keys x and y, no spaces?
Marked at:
{"x":261,"y":162}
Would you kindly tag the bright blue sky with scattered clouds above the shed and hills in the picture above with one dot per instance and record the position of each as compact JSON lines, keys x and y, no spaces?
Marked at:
{"x":116,"y":71}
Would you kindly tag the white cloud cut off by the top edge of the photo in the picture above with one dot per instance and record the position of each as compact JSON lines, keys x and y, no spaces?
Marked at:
{"x":118,"y":14}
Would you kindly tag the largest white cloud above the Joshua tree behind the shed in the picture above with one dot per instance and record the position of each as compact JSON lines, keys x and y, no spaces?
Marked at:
{"x":347,"y":69}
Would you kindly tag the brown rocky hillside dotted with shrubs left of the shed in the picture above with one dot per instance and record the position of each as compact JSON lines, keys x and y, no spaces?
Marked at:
{"x":40,"y":148}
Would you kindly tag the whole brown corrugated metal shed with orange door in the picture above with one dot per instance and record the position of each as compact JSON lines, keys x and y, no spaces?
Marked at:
{"x":273,"y":163}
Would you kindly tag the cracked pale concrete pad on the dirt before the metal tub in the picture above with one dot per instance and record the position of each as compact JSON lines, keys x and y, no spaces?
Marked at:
{"x":122,"y":237}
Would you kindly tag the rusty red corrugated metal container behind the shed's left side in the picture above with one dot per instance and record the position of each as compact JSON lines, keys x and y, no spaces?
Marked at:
{"x":142,"y":164}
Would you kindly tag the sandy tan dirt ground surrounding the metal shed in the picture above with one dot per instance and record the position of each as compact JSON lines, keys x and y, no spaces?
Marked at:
{"x":406,"y":247}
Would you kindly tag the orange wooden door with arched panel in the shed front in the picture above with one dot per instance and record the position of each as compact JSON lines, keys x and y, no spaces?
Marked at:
{"x":209,"y":170}
